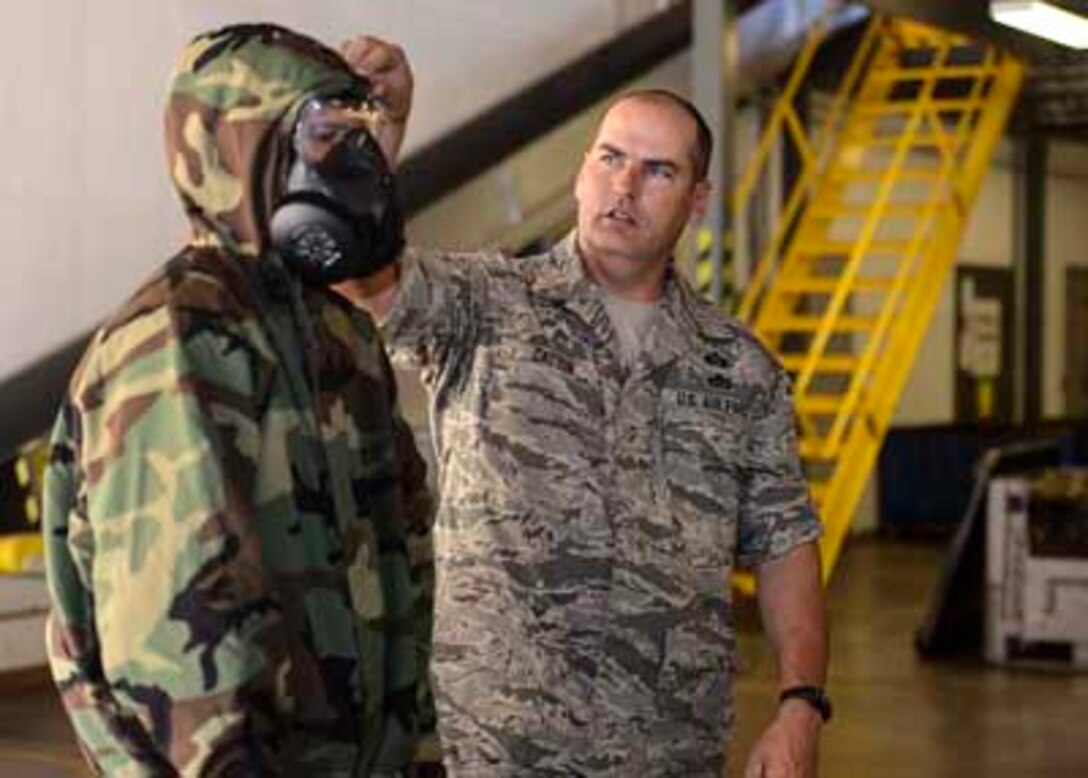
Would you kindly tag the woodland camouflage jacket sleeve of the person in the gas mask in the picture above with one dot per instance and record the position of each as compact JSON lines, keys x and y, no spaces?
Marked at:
{"x":164,"y":640}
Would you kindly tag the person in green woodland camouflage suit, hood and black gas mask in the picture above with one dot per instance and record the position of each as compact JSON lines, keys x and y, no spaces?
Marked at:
{"x":237,"y":521}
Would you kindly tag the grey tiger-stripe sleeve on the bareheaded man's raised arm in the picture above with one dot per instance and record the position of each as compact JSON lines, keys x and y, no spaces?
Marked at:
{"x":437,"y":310}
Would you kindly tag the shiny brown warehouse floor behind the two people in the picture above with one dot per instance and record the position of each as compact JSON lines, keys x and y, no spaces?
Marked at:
{"x":895,"y":715}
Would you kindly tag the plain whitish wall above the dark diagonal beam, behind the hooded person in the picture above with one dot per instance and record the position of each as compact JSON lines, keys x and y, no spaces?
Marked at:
{"x":86,"y":211}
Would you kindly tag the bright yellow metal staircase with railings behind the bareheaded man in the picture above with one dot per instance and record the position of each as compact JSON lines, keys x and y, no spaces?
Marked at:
{"x":849,"y":280}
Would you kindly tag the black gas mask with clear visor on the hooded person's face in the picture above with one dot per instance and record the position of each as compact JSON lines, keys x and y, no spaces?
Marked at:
{"x":339,"y":218}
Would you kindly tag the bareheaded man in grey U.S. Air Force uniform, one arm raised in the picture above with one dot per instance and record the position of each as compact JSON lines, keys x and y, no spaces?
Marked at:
{"x":610,"y":449}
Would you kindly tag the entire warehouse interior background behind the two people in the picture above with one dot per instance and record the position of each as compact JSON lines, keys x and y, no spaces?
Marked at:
{"x":901,"y":189}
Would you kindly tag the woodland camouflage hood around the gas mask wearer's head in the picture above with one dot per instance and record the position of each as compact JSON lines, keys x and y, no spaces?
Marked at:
{"x":227,"y":147}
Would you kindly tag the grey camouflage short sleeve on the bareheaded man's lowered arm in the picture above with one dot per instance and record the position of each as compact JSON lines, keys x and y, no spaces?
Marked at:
{"x":776,"y":514}
